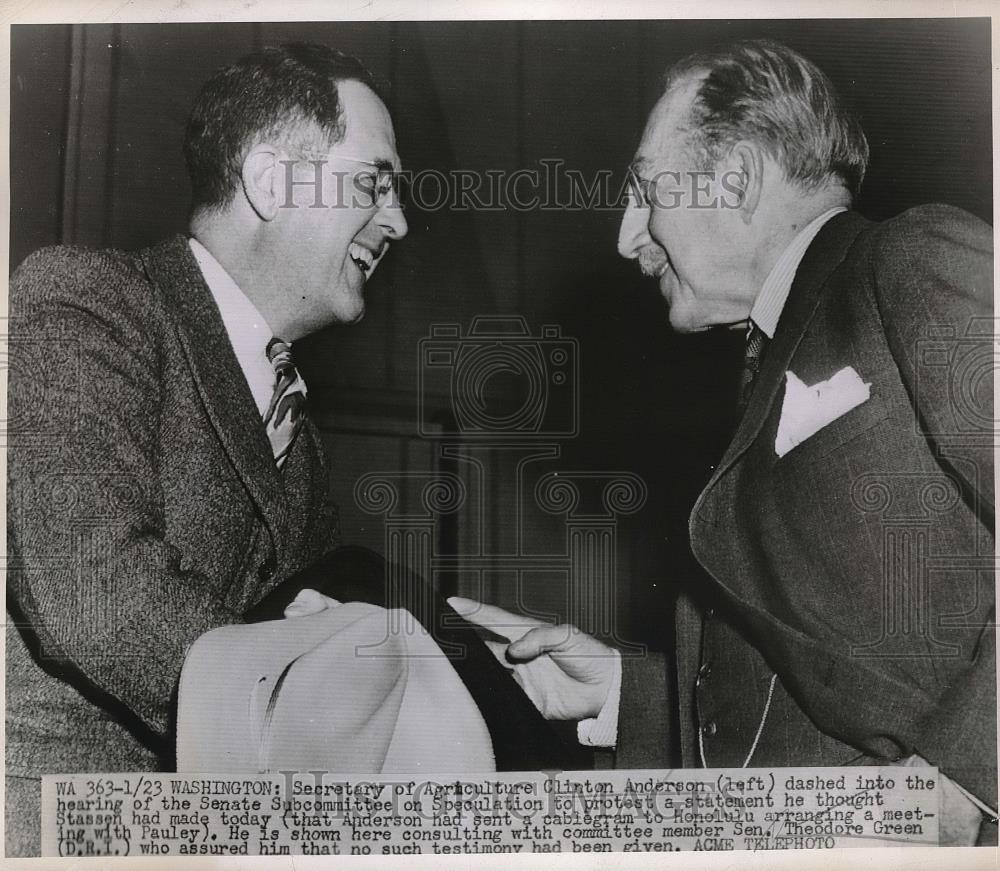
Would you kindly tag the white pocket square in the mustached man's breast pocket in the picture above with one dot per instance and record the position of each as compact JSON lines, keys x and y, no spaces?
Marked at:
{"x":806,"y":410}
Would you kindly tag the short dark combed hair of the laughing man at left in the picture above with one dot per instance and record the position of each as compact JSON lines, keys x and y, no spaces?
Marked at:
{"x":270,"y":95}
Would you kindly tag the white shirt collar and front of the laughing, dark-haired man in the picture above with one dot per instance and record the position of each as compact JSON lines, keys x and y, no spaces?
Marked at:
{"x":247,"y":330}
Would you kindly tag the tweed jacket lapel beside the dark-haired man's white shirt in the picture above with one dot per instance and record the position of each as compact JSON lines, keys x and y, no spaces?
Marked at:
{"x":220,"y":381}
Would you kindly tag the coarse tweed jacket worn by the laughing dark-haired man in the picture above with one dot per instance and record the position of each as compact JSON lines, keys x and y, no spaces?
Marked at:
{"x":144,"y":504}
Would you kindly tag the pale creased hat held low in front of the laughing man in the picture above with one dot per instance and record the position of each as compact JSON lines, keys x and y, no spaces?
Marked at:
{"x":354,"y":689}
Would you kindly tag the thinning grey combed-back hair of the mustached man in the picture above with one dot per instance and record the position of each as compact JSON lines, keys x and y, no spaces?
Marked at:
{"x":766,"y":93}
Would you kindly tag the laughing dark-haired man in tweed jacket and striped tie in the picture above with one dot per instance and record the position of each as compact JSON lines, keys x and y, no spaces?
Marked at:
{"x":145,"y":502}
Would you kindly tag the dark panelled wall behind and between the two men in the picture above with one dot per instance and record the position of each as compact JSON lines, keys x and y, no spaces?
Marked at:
{"x":97,"y":116}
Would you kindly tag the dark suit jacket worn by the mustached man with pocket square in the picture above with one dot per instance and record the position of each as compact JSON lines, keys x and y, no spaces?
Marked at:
{"x":859,"y":566}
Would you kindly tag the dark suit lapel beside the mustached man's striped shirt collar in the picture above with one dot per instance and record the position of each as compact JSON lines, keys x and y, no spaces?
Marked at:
{"x":822,"y":257}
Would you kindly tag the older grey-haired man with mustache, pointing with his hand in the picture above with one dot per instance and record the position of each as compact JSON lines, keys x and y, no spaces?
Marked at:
{"x":847,"y":611}
